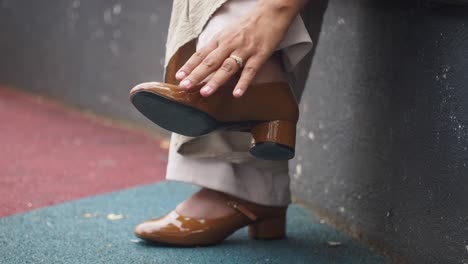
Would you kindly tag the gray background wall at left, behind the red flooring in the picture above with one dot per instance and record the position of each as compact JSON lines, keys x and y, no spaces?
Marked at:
{"x":86,"y":53}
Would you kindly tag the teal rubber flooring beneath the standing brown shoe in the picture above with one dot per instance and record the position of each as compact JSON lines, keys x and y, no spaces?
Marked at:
{"x":99,"y":229}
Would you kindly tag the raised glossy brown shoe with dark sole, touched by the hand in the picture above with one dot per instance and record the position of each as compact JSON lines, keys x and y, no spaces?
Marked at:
{"x":269,"y":111}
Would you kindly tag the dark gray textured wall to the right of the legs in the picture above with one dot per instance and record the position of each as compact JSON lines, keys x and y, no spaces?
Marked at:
{"x":383,"y":136}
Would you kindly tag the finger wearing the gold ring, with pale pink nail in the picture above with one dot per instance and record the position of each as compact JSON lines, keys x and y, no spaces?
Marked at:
{"x":222,"y":75}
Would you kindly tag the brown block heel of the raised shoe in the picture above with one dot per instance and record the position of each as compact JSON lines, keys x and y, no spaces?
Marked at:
{"x":273,"y":140}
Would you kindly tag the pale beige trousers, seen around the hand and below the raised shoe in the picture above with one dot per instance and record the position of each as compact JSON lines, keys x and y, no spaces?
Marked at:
{"x":220,"y":160}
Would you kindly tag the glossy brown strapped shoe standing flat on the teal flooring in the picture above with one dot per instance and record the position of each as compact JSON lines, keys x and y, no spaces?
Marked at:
{"x":265,"y":222}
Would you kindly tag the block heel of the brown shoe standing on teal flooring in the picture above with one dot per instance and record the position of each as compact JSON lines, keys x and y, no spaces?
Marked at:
{"x":272,"y":228}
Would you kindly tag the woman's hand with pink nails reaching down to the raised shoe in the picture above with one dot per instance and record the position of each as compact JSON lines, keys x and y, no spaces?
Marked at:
{"x":253,"y":39}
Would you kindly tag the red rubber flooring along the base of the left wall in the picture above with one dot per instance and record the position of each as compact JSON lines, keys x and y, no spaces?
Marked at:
{"x":50,"y":154}
